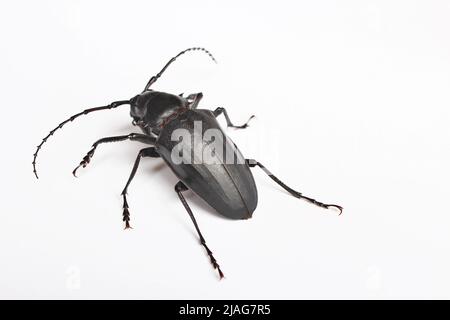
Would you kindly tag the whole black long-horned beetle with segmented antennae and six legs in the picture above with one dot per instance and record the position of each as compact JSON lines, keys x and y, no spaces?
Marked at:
{"x":227,"y":186}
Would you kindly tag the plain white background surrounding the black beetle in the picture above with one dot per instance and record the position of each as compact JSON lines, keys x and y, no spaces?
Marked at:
{"x":352,"y":104}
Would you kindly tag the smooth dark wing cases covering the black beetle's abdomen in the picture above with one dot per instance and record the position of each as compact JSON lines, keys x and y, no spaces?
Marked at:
{"x":227,"y":186}
